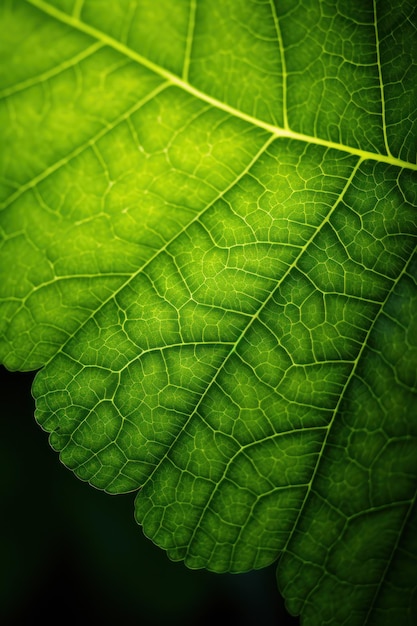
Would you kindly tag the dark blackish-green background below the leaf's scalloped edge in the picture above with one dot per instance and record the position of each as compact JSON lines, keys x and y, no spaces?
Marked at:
{"x":71,"y":553}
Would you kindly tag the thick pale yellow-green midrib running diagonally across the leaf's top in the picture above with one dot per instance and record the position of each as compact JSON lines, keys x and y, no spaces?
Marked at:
{"x":276,"y":131}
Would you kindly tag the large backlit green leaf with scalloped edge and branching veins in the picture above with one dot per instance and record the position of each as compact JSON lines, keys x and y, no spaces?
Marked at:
{"x":208,"y":244}
